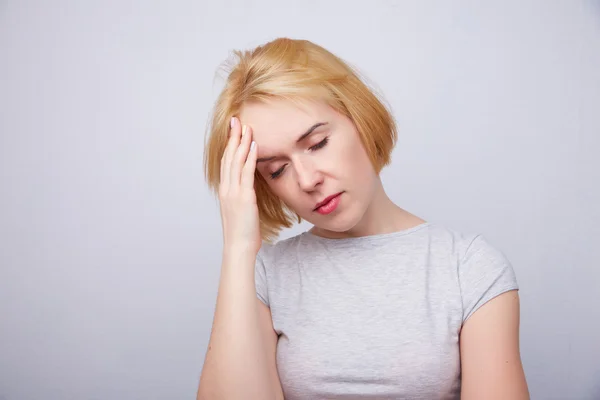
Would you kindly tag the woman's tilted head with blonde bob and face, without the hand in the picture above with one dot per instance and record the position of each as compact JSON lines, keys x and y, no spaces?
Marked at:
{"x":320,"y":131}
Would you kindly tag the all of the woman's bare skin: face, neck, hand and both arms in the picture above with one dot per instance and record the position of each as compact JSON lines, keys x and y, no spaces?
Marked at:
{"x":331,"y":159}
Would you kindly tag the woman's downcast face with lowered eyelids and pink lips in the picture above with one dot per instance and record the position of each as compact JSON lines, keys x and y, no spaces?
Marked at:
{"x":313,"y":160}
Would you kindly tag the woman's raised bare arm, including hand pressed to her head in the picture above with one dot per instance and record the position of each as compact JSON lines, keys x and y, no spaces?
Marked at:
{"x":240,"y":360}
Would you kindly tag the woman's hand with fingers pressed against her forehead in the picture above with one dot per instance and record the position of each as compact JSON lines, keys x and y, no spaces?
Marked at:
{"x":239,"y":212}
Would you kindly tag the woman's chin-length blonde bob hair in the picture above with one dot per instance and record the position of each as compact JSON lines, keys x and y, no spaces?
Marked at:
{"x":295,"y":70}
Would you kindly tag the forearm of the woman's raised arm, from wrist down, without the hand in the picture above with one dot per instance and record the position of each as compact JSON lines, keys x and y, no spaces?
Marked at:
{"x":236,"y":361}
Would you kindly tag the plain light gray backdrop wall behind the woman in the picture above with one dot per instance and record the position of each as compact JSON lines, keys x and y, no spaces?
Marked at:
{"x":110,"y":241}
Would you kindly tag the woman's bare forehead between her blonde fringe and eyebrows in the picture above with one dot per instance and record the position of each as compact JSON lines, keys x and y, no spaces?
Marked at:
{"x":282,"y":120}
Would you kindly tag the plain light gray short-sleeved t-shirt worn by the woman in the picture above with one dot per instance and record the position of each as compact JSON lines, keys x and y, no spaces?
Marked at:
{"x":376,"y":317}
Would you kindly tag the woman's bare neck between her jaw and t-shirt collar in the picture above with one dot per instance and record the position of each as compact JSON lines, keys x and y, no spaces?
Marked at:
{"x":382,"y":216}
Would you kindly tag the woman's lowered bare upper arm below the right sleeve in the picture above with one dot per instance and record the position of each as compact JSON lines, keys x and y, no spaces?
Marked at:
{"x":489,"y":352}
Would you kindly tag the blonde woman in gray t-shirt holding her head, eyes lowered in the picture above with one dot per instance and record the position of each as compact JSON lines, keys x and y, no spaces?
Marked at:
{"x":372,"y":302}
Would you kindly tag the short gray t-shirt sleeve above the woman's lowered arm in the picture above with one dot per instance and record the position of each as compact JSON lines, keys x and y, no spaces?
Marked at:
{"x":484,"y":273}
